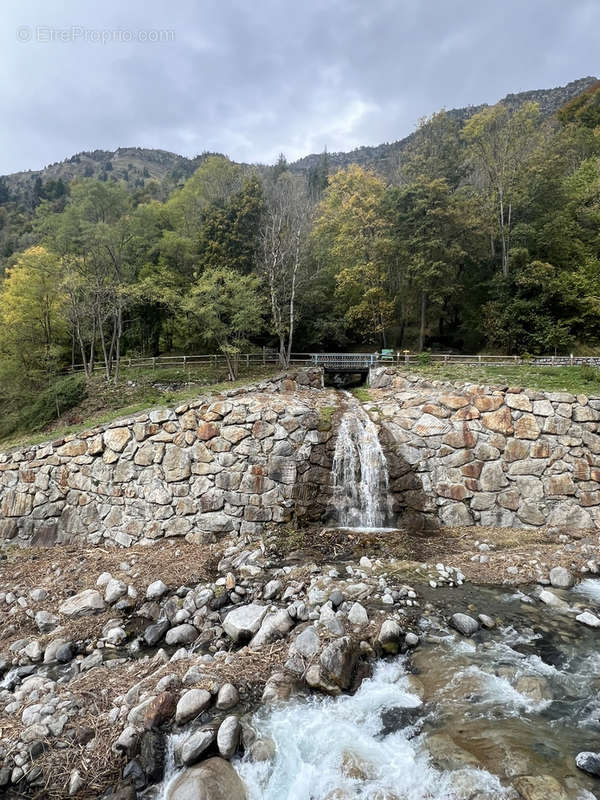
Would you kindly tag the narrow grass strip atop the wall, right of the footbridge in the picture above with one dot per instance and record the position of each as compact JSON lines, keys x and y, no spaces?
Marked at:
{"x":577,"y":380}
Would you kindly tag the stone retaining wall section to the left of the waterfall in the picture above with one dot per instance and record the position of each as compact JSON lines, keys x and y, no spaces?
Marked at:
{"x":216,"y":465}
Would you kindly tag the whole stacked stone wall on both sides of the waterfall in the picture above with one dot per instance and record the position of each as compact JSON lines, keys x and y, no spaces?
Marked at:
{"x":457,"y":455}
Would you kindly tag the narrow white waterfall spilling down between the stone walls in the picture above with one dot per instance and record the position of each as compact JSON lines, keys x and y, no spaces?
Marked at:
{"x":361,"y":495}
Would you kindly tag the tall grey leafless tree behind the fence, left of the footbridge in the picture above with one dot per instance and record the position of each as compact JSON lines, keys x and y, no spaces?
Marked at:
{"x":283,"y":239}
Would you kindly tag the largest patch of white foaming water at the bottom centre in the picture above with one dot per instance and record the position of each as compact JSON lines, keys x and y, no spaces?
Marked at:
{"x":315,"y":738}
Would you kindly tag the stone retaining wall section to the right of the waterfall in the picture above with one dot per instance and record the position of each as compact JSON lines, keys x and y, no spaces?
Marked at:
{"x":467,"y":454}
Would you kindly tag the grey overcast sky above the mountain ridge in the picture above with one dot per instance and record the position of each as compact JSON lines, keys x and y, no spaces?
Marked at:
{"x":252,"y":78}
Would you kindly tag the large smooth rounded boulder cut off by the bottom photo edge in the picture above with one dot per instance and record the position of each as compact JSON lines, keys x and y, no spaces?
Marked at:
{"x":214,"y":779}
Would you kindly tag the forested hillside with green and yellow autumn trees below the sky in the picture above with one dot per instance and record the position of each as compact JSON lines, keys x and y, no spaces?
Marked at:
{"x":484,"y":234}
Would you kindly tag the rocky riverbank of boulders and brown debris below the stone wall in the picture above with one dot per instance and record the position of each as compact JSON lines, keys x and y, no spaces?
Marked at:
{"x":110,"y":658}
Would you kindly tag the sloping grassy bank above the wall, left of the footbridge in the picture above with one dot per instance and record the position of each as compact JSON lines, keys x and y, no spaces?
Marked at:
{"x":71,"y":403}
